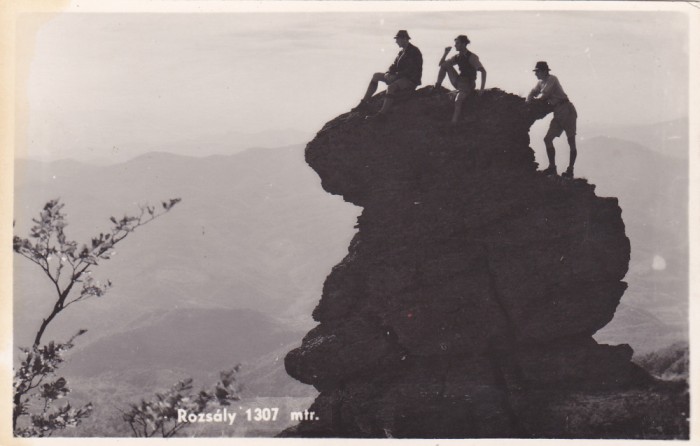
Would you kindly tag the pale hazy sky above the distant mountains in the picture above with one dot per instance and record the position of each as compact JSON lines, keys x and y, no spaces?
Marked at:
{"x":151,"y":81}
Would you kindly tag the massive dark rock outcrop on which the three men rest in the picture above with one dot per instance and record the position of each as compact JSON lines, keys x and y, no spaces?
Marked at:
{"x":466,"y":305}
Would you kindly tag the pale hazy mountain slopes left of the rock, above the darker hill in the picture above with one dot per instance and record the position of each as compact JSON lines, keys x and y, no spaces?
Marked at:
{"x":254,"y":230}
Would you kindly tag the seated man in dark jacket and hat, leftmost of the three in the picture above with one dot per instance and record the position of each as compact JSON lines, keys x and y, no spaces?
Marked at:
{"x":404,"y":74}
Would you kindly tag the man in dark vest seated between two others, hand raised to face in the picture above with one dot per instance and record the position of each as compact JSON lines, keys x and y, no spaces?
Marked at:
{"x":464,"y":81}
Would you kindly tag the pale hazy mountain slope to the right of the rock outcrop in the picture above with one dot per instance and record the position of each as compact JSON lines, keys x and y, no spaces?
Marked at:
{"x":652,"y":189}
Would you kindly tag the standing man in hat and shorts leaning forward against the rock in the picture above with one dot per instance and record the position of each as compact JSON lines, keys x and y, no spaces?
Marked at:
{"x":549,"y":89}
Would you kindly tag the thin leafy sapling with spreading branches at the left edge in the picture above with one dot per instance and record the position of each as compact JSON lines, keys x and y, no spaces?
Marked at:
{"x":51,"y":251}
